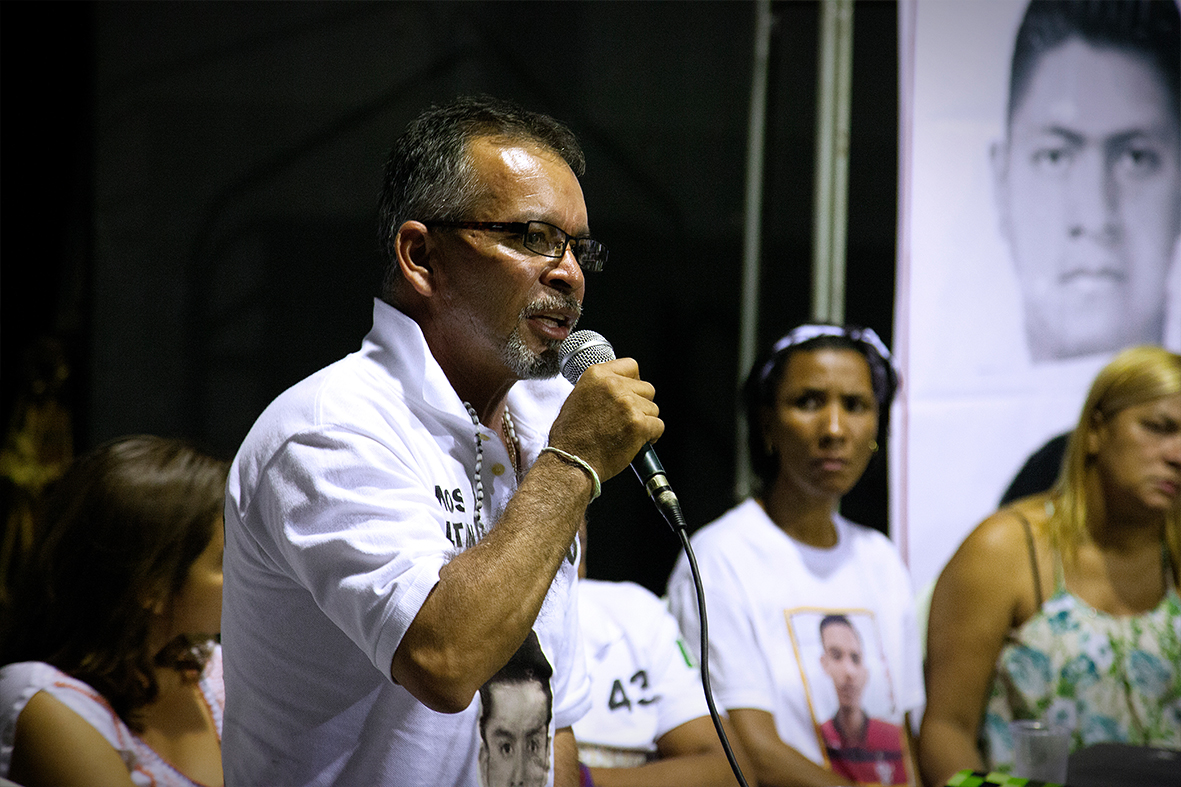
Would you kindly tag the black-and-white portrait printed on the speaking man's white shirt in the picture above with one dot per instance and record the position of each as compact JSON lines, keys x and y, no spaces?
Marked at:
{"x":516,"y":711}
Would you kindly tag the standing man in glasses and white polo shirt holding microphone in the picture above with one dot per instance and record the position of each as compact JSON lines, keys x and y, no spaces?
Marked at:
{"x":400,"y":523}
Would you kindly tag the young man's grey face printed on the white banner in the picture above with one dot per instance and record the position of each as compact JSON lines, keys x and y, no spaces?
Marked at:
{"x":1089,"y":193}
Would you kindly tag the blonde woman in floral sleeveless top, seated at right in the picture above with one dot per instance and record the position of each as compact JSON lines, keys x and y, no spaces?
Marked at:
{"x":1065,"y":606}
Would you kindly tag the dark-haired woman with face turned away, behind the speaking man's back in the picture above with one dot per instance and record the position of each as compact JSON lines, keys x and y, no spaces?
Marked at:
{"x":112,"y":674}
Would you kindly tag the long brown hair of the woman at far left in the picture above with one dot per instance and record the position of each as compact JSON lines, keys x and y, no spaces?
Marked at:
{"x":121,"y":530}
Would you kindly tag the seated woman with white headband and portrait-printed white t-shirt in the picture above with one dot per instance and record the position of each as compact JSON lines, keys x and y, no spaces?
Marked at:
{"x":814,"y":649}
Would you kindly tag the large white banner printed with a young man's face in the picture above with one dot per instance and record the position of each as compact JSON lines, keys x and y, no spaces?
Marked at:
{"x":1041,"y":207}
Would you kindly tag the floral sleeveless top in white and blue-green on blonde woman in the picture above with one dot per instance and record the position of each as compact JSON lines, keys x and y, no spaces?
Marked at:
{"x":1110,"y":679}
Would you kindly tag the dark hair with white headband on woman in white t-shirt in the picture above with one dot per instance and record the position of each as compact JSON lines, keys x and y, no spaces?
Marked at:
{"x":764,"y":382}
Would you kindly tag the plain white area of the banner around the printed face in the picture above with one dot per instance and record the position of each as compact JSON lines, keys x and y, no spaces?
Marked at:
{"x":973,"y":407}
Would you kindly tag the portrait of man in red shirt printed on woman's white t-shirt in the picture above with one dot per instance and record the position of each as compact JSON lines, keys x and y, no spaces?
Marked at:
{"x":850,"y":693}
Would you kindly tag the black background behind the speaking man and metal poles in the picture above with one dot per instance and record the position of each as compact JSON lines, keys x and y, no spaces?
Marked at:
{"x":190,"y":190}
